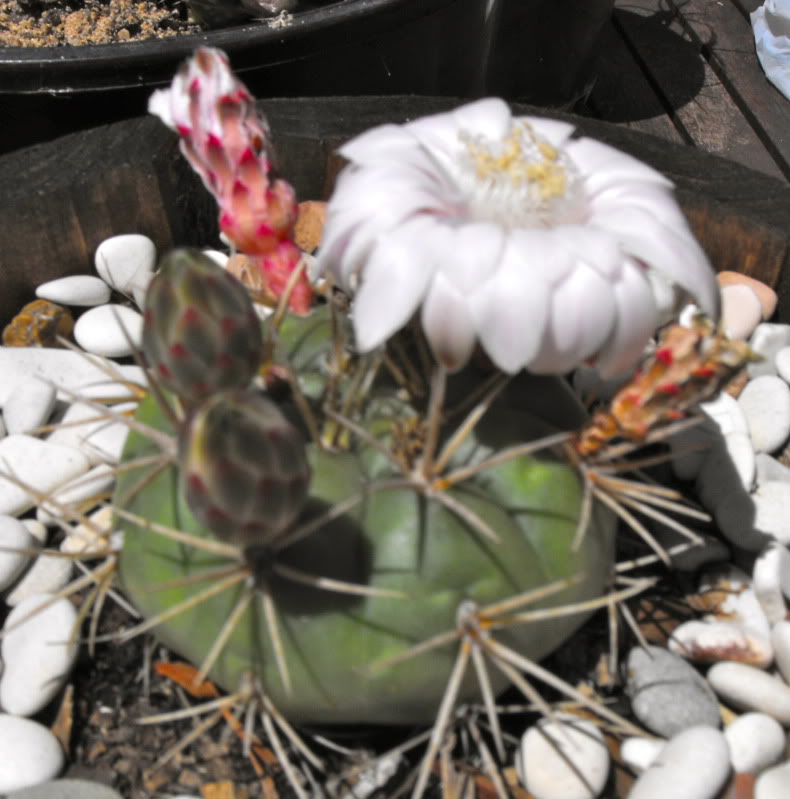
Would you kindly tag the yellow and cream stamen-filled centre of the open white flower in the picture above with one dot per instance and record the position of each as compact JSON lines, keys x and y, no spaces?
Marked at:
{"x":521,"y":180}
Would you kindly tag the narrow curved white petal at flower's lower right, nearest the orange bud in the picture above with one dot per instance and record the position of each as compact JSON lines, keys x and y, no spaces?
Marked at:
{"x":636,"y":322}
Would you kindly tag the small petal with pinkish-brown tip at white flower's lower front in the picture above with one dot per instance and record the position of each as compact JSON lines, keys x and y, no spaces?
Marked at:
{"x":448,"y":324}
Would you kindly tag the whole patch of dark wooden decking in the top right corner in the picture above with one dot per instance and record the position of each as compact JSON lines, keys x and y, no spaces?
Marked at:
{"x":687,"y":71}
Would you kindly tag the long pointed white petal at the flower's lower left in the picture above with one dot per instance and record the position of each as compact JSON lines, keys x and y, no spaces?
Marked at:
{"x":395,"y":280}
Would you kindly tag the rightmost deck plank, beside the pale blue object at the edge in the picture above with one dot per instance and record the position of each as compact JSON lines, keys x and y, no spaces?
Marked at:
{"x":724,"y":33}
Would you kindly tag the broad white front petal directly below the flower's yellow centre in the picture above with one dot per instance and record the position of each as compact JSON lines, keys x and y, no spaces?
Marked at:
{"x":510,"y":310}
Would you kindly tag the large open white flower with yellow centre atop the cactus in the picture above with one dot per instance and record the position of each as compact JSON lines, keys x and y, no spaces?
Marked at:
{"x":549,"y":251}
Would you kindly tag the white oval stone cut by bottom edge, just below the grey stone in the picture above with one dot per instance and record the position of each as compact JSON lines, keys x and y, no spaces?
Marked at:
{"x":694,"y":764}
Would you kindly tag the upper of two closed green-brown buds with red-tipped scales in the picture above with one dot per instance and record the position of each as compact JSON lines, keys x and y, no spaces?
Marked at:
{"x":201,"y":333}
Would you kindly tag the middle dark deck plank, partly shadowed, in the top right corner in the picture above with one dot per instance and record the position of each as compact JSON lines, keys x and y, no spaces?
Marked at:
{"x":703,"y":107}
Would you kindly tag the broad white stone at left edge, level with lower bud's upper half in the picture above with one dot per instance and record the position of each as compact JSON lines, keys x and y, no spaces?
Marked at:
{"x":37,"y":464}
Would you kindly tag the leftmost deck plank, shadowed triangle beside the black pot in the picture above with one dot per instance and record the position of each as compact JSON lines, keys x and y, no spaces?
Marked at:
{"x":623,"y":94}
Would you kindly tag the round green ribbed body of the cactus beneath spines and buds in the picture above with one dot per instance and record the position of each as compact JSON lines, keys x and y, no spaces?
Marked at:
{"x":392,"y":539}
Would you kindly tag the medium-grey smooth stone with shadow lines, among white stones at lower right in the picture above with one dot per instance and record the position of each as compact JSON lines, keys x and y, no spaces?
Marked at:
{"x":667,"y":694}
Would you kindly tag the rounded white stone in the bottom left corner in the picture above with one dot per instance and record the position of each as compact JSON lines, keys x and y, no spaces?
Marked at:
{"x":31,"y":754}
